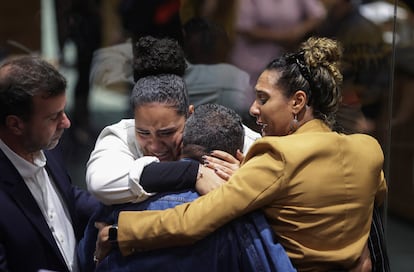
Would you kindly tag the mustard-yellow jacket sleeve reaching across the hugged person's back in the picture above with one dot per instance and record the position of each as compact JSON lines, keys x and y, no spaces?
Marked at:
{"x":190,"y":222}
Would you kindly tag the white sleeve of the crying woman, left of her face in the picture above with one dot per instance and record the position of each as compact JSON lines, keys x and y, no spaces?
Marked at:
{"x":115,"y":166}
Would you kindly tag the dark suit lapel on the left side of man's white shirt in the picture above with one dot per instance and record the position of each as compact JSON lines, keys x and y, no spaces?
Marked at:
{"x":13,"y":184}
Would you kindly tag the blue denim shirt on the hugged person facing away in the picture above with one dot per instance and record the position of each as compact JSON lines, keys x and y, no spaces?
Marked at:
{"x":245,"y":244}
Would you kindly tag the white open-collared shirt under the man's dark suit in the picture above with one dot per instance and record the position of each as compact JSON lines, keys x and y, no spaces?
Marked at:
{"x":49,"y":201}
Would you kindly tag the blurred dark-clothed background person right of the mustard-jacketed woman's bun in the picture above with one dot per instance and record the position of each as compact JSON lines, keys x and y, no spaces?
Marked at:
{"x":365,"y":65}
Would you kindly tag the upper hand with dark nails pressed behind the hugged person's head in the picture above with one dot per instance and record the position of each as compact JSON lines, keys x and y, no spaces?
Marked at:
{"x":223,"y":163}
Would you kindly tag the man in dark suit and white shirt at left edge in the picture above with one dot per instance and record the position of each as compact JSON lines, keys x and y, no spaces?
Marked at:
{"x":42,"y":216}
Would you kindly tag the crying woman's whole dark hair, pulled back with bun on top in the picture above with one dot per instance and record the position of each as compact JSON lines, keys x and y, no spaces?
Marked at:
{"x":159,"y":65}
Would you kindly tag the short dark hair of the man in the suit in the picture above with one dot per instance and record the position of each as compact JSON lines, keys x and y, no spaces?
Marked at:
{"x":22,"y":78}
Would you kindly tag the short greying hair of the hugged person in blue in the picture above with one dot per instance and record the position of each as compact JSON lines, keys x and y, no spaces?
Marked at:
{"x":210,"y":127}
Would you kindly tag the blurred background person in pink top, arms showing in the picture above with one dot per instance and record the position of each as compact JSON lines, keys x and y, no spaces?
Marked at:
{"x":267,"y":28}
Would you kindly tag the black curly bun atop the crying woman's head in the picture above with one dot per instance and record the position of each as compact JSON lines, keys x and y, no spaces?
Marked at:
{"x":154,"y":56}
